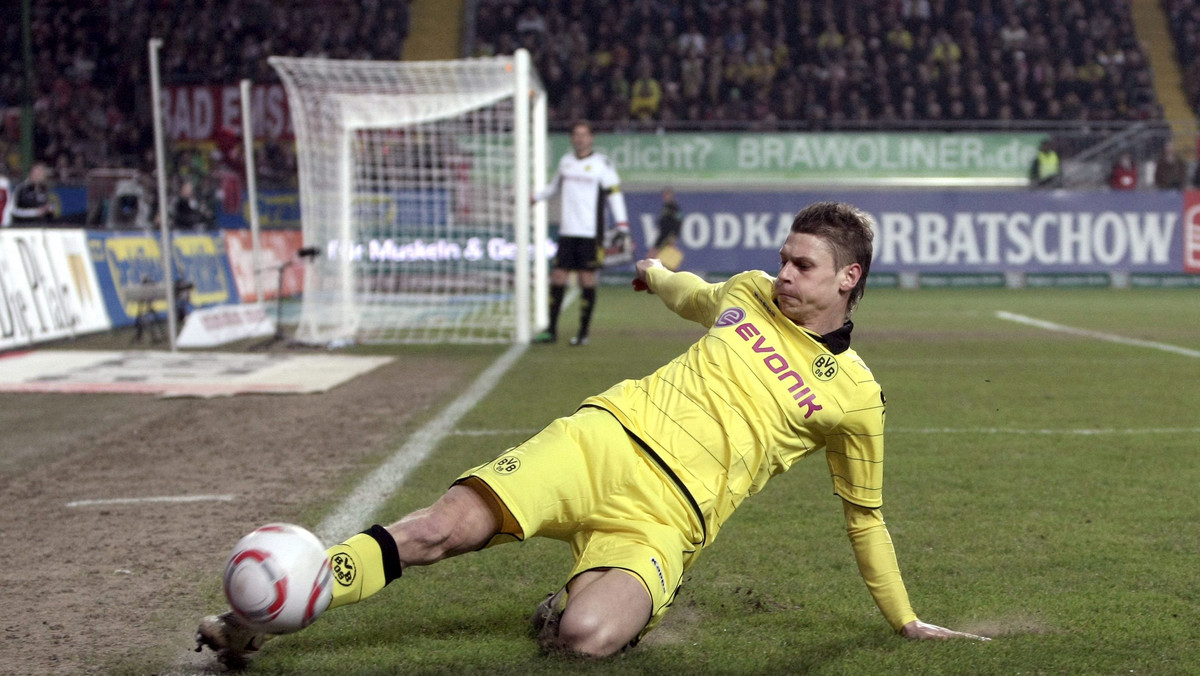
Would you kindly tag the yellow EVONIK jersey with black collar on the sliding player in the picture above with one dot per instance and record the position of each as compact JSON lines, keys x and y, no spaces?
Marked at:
{"x":751,"y":398}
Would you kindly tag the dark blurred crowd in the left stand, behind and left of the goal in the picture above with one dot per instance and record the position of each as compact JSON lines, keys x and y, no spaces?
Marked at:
{"x":91,"y":70}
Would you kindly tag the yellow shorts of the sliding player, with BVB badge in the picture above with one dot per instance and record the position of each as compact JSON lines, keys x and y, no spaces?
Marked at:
{"x":584,"y":481}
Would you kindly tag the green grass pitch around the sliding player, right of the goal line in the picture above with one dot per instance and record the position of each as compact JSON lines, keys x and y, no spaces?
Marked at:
{"x":1041,"y":489}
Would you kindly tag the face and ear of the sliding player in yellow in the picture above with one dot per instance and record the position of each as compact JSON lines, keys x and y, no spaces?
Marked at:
{"x":809,"y":289}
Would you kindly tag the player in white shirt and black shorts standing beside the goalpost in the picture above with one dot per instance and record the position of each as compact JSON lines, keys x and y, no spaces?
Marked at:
{"x":587,"y":182}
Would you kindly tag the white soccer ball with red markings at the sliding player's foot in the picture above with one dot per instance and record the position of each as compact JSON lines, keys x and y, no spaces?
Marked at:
{"x":278,"y":579}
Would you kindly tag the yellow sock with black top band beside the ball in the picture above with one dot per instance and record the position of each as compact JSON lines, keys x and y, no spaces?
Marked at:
{"x":363,"y":566}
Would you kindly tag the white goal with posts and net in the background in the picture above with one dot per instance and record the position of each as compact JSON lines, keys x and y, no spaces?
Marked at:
{"x":415,"y":189}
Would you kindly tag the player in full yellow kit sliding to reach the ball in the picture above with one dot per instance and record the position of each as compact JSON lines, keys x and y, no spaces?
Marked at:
{"x":644,"y":476}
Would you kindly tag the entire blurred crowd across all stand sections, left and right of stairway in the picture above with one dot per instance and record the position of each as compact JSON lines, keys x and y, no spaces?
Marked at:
{"x":625,"y":64}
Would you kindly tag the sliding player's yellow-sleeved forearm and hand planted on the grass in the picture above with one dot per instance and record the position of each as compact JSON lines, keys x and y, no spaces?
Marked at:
{"x":878,"y":565}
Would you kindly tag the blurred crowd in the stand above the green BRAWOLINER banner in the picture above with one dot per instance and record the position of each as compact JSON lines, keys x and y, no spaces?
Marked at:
{"x":819,"y":64}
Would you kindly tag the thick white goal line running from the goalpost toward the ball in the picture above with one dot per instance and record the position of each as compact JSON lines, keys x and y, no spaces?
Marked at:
{"x":358,"y":510}
